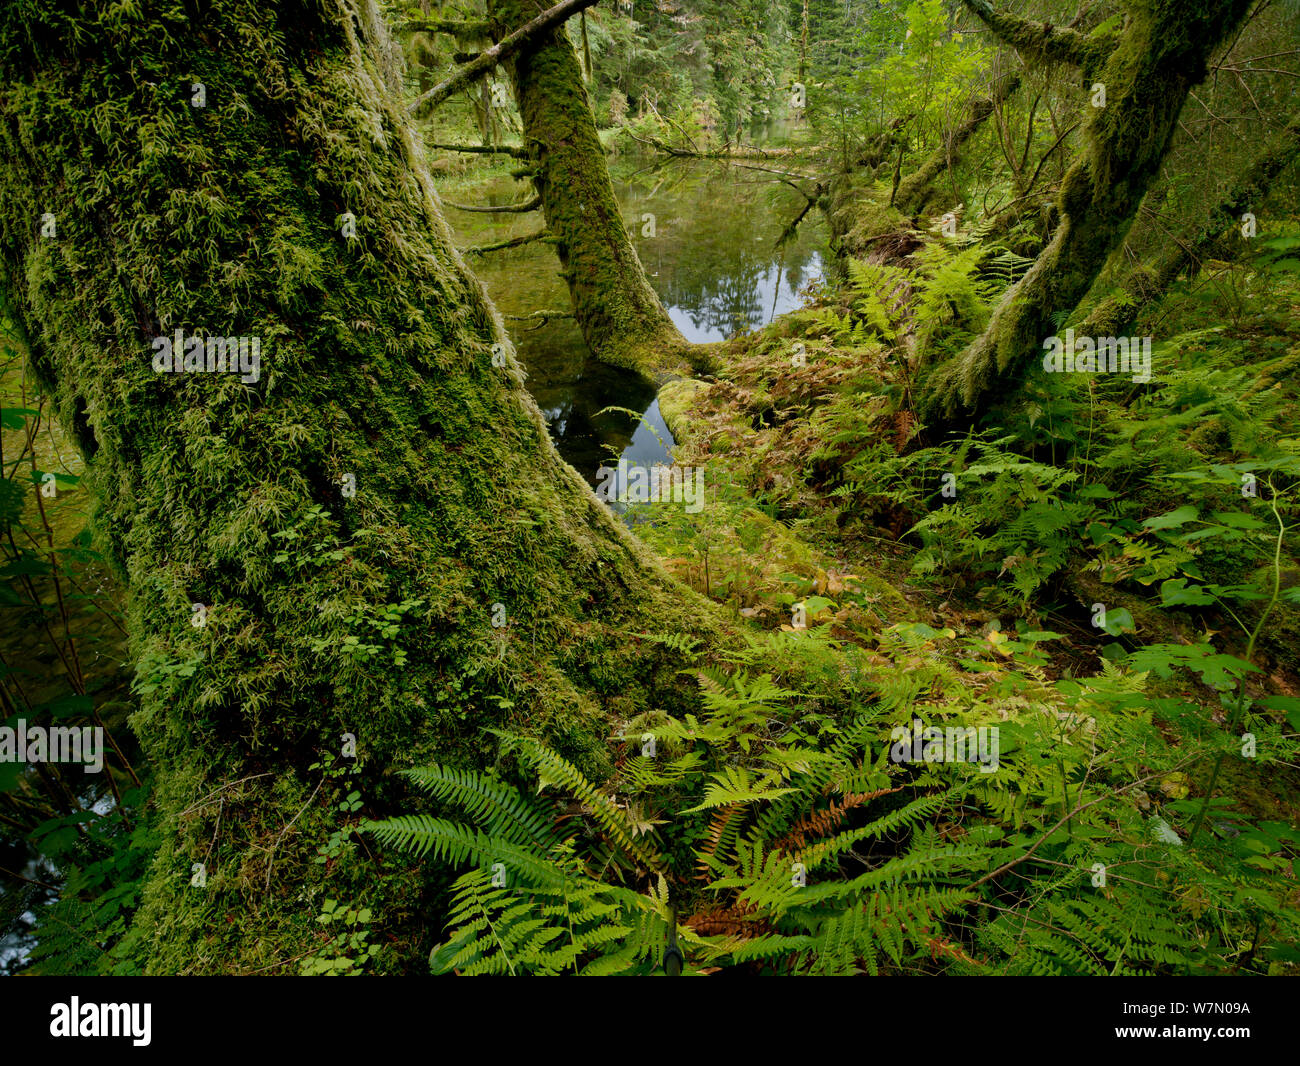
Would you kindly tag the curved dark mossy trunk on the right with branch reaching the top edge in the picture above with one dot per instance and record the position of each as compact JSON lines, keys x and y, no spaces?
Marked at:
{"x":1147,"y":73}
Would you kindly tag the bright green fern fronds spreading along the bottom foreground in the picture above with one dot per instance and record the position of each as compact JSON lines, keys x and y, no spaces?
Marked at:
{"x":812,"y":866}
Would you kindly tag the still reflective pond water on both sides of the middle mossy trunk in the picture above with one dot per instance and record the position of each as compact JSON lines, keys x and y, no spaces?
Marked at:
{"x":713,"y":261}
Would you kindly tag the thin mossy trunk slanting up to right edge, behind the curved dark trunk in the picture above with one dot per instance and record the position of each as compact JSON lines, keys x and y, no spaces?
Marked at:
{"x":1149,"y":284}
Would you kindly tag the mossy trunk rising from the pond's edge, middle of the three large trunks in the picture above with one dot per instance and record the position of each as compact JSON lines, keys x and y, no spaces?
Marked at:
{"x":619,"y":314}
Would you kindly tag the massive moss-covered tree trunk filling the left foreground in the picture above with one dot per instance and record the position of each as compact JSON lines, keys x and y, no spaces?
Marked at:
{"x":367,"y":532}
